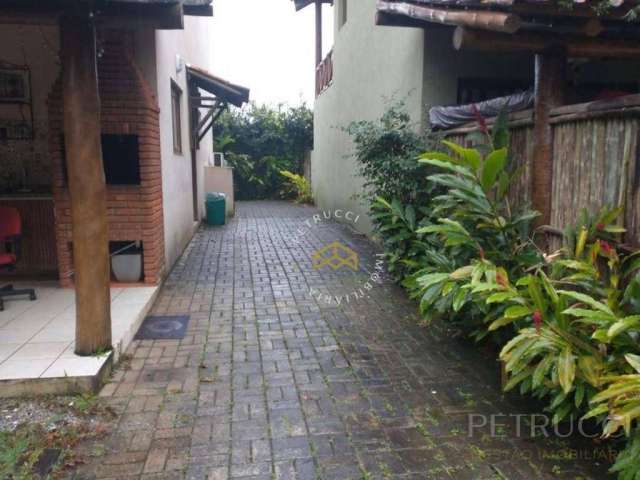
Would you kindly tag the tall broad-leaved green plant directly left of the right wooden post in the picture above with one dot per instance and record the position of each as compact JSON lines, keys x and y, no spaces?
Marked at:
{"x":477,"y":227}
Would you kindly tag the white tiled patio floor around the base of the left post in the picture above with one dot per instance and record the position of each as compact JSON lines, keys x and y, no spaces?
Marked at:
{"x":36,"y":338}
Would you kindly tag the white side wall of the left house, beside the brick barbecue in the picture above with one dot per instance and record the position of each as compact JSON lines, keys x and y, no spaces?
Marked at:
{"x":193,"y":44}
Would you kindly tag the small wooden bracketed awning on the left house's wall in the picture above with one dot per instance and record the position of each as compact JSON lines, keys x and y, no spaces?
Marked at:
{"x":222,"y":93}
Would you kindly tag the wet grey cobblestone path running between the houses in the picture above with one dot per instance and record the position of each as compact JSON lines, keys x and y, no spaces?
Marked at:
{"x":273,"y":381}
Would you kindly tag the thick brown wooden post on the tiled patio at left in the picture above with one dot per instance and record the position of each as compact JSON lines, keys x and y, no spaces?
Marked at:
{"x":87,"y":186}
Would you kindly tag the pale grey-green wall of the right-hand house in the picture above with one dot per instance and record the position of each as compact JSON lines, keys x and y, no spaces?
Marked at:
{"x":371,"y":64}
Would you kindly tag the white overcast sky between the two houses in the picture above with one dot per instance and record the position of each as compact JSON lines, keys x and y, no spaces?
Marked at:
{"x":269,"y":47}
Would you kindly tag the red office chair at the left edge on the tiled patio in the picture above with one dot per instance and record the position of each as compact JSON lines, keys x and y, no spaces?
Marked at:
{"x":10,"y":236}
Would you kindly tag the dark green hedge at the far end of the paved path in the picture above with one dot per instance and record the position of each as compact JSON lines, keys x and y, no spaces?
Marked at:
{"x":259,"y":142}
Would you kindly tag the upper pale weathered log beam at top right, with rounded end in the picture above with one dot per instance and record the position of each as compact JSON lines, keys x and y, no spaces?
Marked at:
{"x":483,"y":19}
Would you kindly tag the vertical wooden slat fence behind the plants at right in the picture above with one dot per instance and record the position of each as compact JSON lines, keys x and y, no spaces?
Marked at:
{"x":596,"y":162}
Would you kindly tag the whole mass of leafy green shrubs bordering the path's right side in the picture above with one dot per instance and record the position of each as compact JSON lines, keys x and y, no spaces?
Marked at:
{"x":568,"y":323}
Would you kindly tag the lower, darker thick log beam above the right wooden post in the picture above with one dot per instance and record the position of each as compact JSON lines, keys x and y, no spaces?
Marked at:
{"x":482,"y":40}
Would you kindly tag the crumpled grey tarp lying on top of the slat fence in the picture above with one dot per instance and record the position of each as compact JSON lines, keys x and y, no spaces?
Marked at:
{"x":455,"y":116}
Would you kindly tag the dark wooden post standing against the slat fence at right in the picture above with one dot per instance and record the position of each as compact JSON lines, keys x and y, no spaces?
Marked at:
{"x":550,"y":84}
